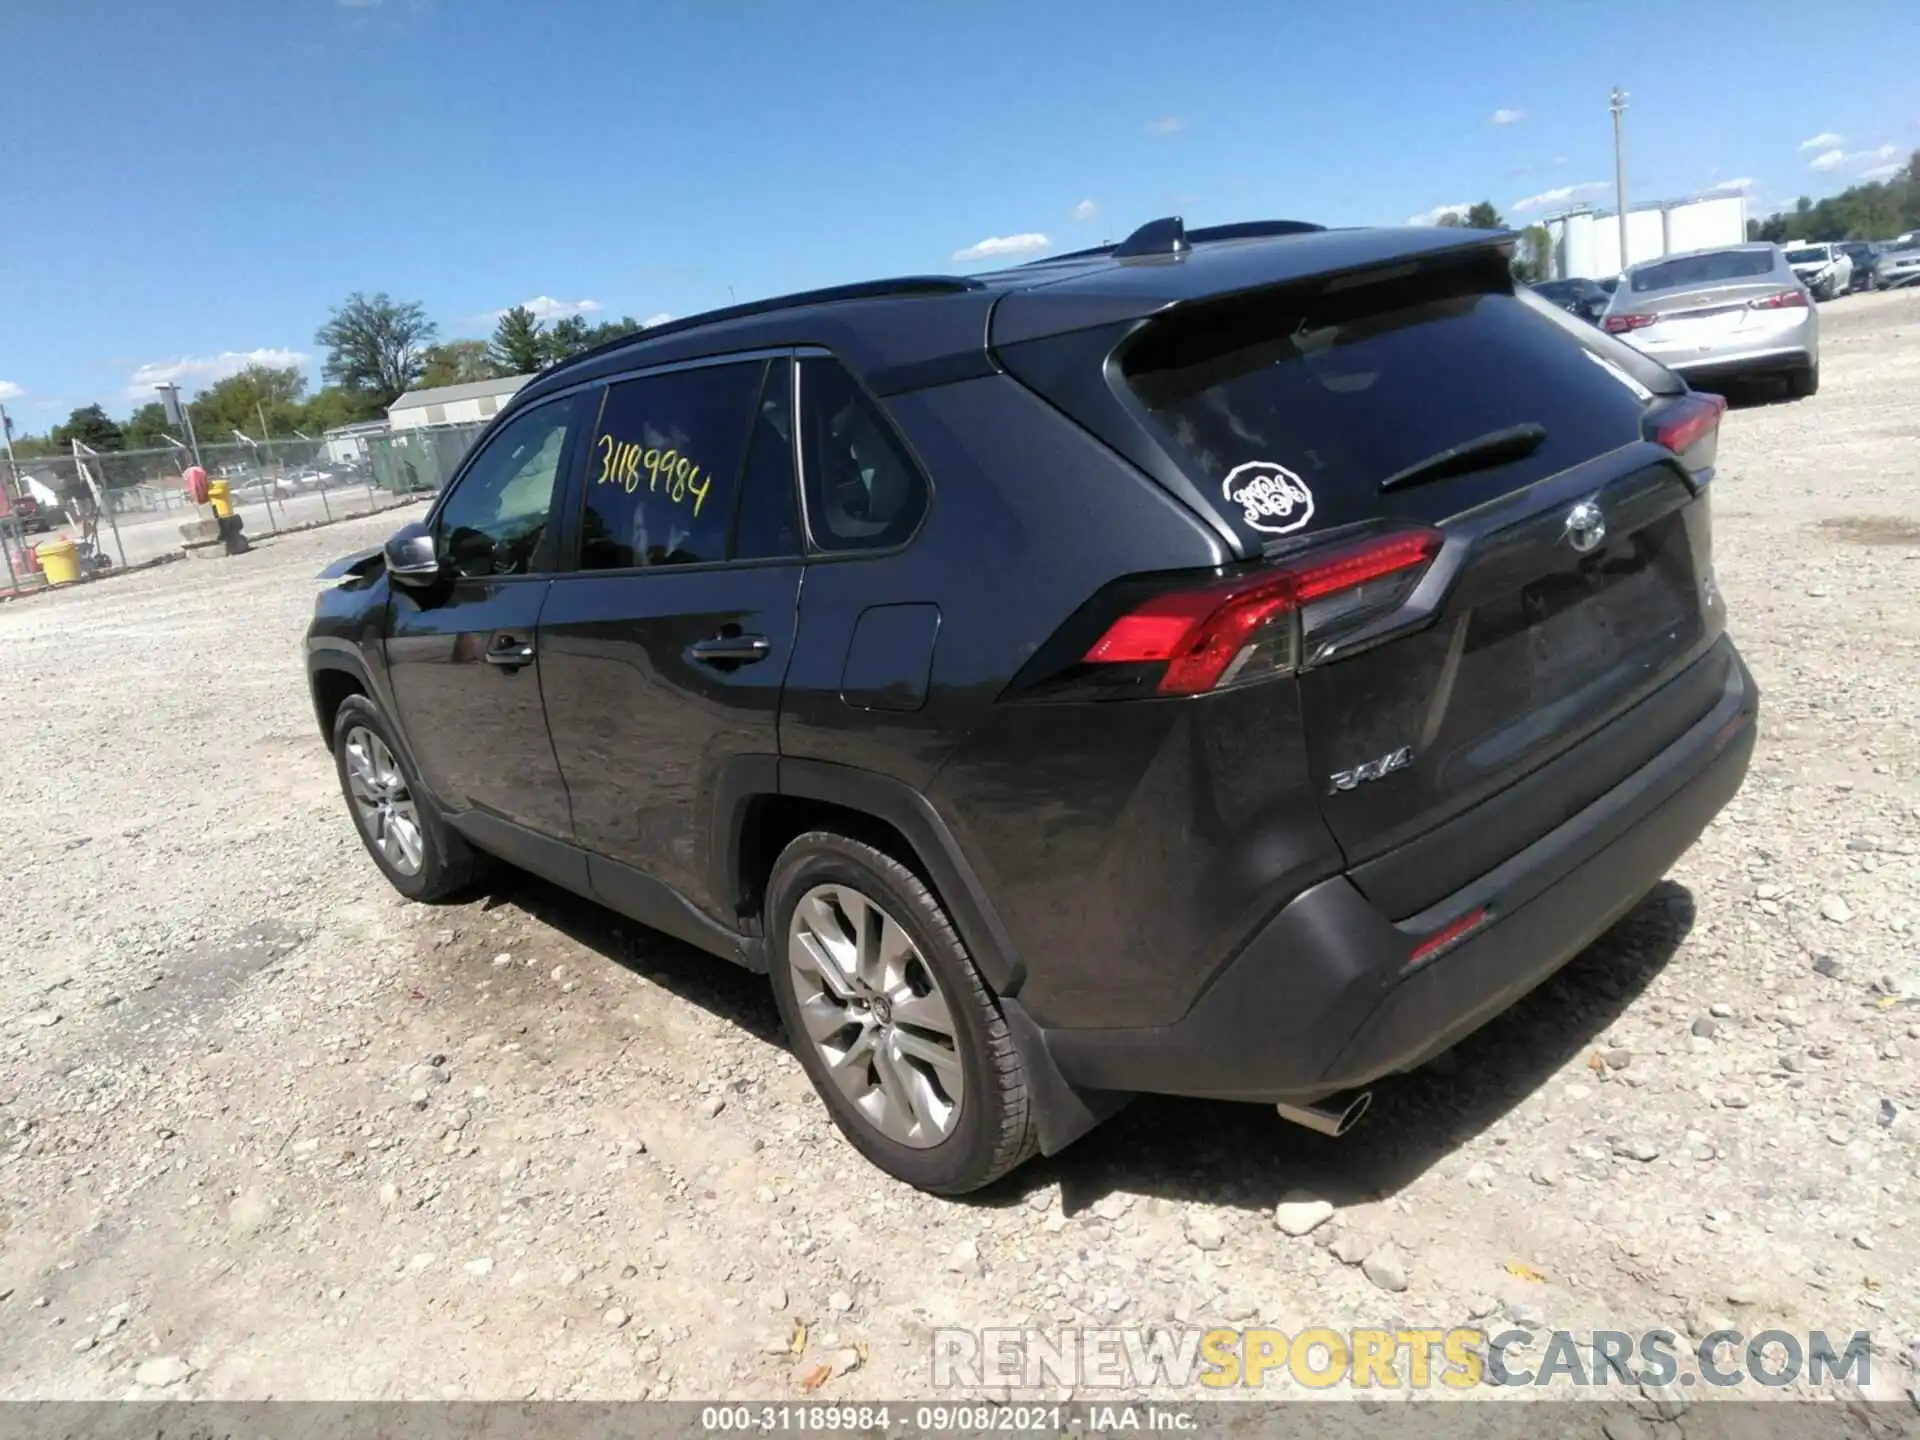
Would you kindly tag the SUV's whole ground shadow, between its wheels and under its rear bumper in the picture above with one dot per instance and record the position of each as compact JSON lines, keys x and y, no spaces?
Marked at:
{"x":1220,"y":1153}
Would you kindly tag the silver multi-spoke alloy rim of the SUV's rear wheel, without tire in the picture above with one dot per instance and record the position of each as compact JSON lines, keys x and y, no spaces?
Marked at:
{"x":876,"y":1015}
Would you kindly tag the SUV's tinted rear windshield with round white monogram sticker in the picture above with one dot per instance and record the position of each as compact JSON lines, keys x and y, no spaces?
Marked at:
{"x":1295,"y":408}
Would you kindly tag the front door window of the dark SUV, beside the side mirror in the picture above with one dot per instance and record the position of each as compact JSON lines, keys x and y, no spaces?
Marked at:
{"x":494,"y":519}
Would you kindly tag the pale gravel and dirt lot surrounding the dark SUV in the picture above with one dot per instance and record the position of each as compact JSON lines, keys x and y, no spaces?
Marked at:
{"x":266,"y":1122}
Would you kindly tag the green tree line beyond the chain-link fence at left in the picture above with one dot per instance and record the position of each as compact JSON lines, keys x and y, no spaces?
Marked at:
{"x":377,"y":348}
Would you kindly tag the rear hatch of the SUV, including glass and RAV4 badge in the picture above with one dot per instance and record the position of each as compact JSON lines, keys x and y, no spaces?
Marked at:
{"x":1572,"y":571}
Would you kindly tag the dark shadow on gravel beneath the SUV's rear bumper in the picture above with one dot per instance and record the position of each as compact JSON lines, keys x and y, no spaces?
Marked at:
{"x":1245,"y":1155}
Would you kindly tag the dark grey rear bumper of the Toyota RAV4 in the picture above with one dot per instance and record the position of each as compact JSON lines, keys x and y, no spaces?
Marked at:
{"x":1324,"y":997}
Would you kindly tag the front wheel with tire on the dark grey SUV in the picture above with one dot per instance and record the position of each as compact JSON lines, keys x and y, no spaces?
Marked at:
{"x":416,"y":850}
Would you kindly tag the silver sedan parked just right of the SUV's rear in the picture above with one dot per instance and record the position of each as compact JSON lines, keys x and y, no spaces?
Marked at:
{"x":1721,"y":316}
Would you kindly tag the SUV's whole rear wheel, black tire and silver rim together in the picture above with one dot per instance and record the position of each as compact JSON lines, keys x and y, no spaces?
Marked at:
{"x":890,"y":1019}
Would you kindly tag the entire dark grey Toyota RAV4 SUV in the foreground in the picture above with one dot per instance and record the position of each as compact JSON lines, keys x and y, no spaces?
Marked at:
{"x":1236,"y":663}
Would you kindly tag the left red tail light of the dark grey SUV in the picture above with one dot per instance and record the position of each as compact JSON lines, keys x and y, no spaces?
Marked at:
{"x":1232,"y":633}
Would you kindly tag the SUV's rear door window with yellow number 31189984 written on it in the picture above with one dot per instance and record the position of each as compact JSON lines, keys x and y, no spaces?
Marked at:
{"x":665,"y":466}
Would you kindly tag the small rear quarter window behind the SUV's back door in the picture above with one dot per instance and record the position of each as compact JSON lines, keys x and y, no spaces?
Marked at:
{"x":863,"y":489}
